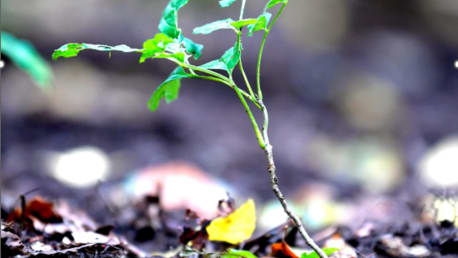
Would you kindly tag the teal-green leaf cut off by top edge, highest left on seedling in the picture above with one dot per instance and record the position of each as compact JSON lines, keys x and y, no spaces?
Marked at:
{"x":169,"y":21}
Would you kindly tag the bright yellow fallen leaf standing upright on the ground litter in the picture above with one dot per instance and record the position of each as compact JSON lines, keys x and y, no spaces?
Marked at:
{"x":236,"y":227}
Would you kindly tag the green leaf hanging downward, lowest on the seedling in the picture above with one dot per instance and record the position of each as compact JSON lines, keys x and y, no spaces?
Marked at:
{"x":168,"y":89}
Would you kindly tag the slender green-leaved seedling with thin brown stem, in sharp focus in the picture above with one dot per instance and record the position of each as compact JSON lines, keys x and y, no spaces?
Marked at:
{"x":172,"y":45}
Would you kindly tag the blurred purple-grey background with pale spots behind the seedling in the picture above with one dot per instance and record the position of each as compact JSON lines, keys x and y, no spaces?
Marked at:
{"x":363,"y":98}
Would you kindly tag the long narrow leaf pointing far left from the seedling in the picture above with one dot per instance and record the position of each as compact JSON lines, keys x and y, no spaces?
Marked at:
{"x":72,"y":49}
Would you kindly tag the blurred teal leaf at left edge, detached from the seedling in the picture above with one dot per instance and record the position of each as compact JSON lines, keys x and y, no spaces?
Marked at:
{"x":24,"y":55}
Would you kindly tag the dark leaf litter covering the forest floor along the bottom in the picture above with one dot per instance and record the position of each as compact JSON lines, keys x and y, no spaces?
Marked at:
{"x":39,"y":227}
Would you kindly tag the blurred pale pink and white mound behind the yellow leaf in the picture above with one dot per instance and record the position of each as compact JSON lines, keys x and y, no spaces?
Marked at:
{"x":180,"y":185}
